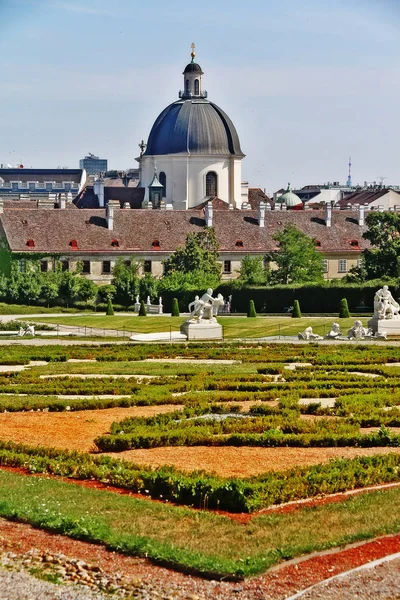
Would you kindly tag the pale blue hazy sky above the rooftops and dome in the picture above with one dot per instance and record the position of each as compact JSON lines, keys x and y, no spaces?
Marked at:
{"x":307,"y":84}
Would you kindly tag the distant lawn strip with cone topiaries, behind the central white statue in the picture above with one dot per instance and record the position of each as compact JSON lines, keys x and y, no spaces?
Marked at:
{"x":233,"y":327}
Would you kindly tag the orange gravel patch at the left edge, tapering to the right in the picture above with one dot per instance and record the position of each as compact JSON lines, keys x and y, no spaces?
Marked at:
{"x":69,"y":430}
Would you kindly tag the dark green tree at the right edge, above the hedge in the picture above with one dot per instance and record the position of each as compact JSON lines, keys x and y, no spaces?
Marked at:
{"x":383,"y":260}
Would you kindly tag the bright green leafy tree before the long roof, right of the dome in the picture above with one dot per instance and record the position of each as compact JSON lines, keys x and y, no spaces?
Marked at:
{"x":297,"y":260}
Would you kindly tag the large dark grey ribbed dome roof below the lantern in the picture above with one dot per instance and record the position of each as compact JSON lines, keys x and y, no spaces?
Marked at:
{"x":193,"y":126}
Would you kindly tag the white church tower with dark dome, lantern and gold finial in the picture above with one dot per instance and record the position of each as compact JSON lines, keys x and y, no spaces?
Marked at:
{"x":195,"y":148}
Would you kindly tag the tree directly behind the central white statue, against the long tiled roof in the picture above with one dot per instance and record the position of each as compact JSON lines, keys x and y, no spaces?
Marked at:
{"x":200,"y":253}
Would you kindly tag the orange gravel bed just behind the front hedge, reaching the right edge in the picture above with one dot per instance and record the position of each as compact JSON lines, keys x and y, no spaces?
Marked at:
{"x":244,"y":461}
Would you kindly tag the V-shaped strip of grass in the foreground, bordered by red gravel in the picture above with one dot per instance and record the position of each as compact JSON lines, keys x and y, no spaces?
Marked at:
{"x":204,"y":542}
